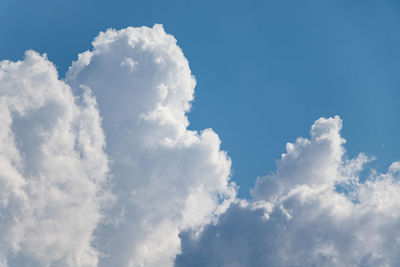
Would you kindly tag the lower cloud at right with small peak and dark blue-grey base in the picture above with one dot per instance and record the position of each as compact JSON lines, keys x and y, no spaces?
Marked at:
{"x":315,"y":210}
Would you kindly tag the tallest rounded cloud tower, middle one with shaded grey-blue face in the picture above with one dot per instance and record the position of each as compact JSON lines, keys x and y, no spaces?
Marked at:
{"x":166,"y":177}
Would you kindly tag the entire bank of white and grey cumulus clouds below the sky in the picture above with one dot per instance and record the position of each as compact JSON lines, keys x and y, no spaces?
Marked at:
{"x":99,"y":169}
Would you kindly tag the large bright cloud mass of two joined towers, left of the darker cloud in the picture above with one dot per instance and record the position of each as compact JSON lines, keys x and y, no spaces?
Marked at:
{"x":109,"y":180}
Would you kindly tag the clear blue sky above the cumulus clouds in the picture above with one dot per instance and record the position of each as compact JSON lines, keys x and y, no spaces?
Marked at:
{"x":265,"y":69}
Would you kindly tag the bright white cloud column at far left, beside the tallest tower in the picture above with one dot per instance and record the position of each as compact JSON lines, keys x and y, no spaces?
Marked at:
{"x":52,"y":167}
